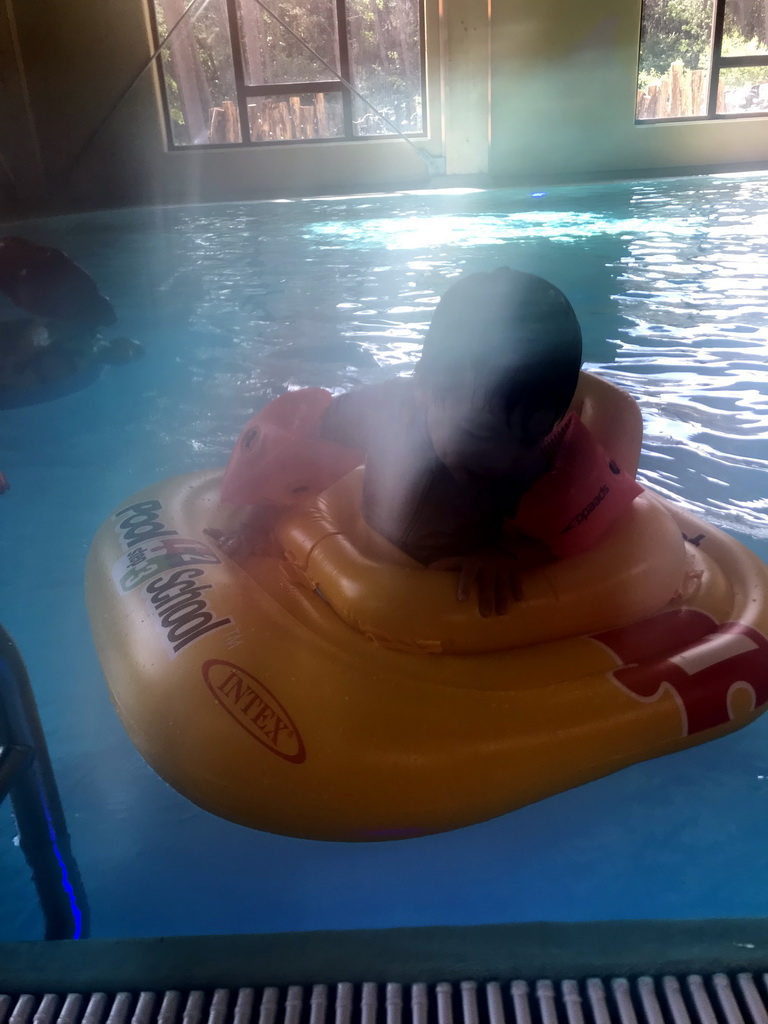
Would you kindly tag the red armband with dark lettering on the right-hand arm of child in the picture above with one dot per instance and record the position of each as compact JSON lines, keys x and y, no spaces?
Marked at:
{"x":573,"y":505}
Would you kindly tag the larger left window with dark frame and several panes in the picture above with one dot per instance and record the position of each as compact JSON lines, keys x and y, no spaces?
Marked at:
{"x":254,"y":72}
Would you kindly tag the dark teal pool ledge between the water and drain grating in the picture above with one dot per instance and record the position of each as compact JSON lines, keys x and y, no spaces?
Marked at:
{"x":557,"y":951}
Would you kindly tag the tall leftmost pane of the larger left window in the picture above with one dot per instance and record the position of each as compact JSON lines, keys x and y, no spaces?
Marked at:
{"x":199,"y":75}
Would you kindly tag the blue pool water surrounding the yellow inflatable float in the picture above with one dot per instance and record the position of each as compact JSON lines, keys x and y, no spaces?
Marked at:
{"x":235,"y":304}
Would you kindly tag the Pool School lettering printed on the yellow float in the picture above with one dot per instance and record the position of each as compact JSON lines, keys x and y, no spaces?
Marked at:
{"x":168,"y":567}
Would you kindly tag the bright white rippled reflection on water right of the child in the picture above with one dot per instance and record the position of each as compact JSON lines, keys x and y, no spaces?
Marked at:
{"x":693,"y":349}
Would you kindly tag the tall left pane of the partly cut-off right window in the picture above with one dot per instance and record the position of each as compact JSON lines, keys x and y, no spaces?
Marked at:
{"x":675,"y":45}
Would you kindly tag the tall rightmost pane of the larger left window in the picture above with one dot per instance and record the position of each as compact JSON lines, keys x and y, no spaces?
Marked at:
{"x":386,"y":65}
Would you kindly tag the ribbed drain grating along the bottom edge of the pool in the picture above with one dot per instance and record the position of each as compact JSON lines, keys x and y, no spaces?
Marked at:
{"x":690,"y":1000}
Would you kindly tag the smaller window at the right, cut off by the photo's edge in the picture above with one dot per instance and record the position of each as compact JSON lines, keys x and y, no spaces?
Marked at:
{"x":703,"y":59}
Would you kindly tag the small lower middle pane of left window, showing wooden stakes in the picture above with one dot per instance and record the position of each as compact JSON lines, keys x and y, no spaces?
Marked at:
{"x":309,"y":115}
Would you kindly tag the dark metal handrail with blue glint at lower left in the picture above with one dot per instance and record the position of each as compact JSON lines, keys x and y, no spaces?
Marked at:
{"x":27,"y":778}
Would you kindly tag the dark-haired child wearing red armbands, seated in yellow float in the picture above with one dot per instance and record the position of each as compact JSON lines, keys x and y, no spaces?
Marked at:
{"x":474,"y":465}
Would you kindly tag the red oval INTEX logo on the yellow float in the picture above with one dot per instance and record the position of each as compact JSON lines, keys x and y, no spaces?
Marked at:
{"x":255,"y":709}
